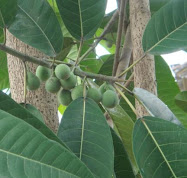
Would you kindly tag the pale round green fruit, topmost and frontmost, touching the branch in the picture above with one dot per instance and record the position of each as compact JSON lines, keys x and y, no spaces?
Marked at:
{"x":62,"y":71}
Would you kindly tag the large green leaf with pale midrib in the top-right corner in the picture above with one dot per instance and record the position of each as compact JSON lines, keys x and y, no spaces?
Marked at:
{"x":166,"y":31}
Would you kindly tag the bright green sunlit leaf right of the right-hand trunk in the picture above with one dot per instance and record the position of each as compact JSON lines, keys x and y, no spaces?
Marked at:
{"x":167,"y":88}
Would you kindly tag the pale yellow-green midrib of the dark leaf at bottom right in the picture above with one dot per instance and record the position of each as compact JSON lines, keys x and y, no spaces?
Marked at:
{"x":157,"y":145}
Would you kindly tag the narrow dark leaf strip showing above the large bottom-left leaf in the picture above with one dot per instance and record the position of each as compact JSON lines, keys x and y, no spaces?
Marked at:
{"x":10,"y":106}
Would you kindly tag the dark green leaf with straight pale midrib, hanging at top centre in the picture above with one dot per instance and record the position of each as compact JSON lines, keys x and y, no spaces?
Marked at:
{"x":82,"y":17}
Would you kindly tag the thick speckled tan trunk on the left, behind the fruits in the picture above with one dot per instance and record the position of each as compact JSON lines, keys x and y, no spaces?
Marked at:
{"x":45,"y":102}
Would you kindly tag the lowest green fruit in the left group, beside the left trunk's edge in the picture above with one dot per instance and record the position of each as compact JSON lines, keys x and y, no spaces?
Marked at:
{"x":64,"y":97}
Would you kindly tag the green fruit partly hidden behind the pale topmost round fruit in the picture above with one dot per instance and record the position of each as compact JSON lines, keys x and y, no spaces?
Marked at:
{"x":69,"y":83}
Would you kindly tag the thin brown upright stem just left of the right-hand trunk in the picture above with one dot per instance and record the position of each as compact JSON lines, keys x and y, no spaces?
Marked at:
{"x":119,"y":36}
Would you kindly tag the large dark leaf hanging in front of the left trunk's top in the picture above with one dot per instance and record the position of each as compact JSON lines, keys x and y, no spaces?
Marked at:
{"x":37,"y":25}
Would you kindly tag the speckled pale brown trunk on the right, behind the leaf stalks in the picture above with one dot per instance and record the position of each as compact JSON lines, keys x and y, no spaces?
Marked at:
{"x":144,"y":71}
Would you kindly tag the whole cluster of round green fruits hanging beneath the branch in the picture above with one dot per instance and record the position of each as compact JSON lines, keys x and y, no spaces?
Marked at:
{"x":63,"y":82}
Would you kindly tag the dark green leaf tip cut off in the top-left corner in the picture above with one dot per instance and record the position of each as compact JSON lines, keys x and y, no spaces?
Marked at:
{"x":8,"y":11}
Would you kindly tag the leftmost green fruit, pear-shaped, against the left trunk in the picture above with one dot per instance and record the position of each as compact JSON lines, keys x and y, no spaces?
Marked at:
{"x":33,"y":81}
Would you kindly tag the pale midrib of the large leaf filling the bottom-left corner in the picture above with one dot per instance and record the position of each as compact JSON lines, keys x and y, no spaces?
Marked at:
{"x":25,"y":158}
